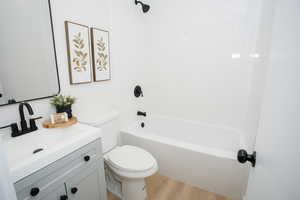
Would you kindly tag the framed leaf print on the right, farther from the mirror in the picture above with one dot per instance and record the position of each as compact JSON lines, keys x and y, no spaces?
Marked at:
{"x":101,"y":54}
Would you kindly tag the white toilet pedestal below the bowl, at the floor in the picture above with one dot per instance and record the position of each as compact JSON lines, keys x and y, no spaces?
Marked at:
{"x":134,"y":189}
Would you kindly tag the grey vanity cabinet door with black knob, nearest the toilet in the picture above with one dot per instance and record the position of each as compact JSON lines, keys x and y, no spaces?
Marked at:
{"x":86,"y":184}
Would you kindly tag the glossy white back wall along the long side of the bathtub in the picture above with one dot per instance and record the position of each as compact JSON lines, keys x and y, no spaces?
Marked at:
{"x":189,"y":71}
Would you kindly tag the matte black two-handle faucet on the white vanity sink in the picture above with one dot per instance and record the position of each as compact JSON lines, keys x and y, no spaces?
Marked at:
{"x":15,"y":132}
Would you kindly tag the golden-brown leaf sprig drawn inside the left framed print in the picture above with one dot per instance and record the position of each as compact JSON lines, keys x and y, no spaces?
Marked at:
{"x":81,"y":57}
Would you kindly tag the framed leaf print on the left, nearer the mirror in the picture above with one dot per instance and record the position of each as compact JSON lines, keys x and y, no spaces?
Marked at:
{"x":78,"y":43}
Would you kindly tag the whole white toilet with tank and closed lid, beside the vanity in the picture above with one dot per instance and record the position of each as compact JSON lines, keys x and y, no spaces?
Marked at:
{"x":126,"y":167}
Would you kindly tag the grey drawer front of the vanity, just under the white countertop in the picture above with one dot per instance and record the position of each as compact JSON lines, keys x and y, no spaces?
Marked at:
{"x":56,"y":173}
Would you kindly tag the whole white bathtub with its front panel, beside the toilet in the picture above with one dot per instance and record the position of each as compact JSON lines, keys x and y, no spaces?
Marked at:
{"x":202,"y":155}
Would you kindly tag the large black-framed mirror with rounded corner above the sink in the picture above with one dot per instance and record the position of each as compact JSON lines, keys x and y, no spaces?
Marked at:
{"x":28,"y":68}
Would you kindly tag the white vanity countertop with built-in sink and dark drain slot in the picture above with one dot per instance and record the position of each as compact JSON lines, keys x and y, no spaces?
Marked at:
{"x":28,"y":153}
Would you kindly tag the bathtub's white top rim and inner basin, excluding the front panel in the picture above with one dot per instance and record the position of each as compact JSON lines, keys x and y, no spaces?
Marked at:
{"x":217,"y":140}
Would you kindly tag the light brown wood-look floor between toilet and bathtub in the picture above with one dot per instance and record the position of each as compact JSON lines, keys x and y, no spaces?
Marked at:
{"x":163,"y":188}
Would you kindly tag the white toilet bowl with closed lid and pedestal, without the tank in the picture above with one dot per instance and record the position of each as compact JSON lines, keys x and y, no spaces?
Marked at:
{"x":131,"y":165}
